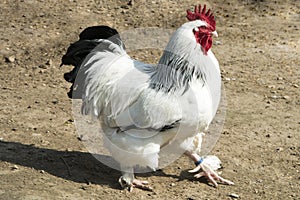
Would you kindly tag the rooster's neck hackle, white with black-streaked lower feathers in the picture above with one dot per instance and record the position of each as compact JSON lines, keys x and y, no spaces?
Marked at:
{"x":179,"y":65}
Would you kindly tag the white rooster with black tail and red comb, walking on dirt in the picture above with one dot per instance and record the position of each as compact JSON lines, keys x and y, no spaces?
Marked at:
{"x":143,"y":107}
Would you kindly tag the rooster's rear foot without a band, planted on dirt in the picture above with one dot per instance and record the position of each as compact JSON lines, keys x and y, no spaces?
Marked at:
{"x":128,"y":181}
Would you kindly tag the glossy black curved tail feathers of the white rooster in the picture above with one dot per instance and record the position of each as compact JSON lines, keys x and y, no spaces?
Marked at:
{"x":76,"y":53}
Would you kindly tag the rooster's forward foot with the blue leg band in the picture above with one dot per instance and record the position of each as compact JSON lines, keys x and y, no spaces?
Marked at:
{"x":206,"y":170}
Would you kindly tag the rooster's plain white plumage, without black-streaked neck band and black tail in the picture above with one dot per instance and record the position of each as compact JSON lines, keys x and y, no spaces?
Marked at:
{"x":118,"y":92}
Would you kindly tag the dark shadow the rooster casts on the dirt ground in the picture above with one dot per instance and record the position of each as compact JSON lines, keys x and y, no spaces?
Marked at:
{"x":80,"y":167}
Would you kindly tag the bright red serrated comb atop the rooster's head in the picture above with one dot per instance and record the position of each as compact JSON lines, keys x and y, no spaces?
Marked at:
{"x":202,"y":15}
